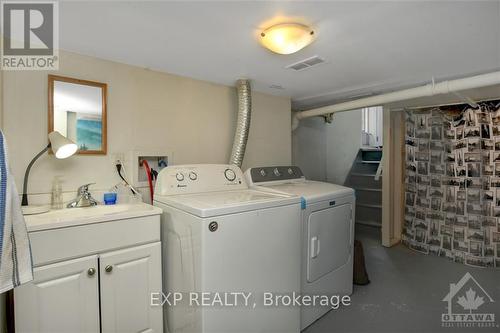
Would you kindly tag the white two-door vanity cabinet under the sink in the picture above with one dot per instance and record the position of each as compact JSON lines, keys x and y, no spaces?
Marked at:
{"x":93,"y":277}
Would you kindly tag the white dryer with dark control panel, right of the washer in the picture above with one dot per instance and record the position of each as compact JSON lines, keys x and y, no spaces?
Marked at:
{"x":327,"y":232}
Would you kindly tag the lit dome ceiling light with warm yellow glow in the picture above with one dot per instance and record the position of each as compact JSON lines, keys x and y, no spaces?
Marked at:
{"x":287,"y":38}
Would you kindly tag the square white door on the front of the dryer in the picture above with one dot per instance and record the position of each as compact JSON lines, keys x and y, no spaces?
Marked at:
{"x":329,"y":240}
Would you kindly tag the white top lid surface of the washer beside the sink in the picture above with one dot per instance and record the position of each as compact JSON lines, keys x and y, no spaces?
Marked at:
{"x":226,"y":202}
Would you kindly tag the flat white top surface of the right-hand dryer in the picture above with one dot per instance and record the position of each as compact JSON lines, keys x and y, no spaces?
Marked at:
{"x":311,"y":191}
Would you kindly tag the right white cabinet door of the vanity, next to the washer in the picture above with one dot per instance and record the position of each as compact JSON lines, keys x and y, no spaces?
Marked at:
{"x":128,"y":277}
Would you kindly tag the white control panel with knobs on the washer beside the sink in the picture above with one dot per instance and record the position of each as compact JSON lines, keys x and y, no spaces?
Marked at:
{"x":198,"y":178}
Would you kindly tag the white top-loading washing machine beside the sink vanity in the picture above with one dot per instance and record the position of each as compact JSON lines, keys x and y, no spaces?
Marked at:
{"x":219,"y":236}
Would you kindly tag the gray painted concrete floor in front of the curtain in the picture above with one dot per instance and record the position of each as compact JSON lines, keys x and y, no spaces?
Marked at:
{"x":405,"y":293}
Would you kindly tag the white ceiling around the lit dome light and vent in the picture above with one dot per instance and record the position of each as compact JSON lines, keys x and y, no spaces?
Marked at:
{"x":370,"y":47}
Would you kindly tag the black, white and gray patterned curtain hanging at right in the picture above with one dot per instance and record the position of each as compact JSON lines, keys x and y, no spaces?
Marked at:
{"x":452,"y":180}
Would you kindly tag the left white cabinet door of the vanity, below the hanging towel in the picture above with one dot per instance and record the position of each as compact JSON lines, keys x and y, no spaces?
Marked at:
{"x":63,"y":297}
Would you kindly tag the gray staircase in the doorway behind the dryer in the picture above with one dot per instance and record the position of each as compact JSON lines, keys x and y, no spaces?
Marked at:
{"x":368,"y":189}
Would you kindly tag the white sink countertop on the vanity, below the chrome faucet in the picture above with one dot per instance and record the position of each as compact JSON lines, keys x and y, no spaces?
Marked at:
{"x":77,"y":216}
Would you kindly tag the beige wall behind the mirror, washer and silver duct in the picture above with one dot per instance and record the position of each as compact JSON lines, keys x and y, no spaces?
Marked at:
{"x":147,"y":110}
